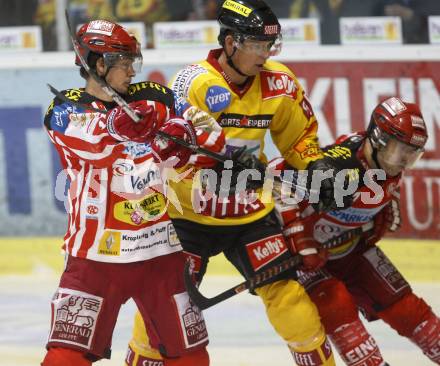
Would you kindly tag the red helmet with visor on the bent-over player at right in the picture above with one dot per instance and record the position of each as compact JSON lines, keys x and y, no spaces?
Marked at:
{"x":398,"y":130}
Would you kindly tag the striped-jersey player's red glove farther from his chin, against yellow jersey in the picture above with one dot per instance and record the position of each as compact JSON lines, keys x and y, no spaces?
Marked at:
{"x":166,"y":149}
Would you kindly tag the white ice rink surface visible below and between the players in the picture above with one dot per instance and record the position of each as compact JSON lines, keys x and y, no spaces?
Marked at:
{"x":239,"y":333}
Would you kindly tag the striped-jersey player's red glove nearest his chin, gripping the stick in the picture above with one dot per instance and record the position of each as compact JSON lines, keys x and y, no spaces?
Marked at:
{"x":123,"y":128}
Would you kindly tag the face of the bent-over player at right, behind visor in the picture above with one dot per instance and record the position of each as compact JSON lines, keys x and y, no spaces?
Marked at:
{"x":397,"y":156}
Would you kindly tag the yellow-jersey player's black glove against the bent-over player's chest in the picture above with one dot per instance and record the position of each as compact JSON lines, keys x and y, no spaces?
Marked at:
{"x":325,"y":194}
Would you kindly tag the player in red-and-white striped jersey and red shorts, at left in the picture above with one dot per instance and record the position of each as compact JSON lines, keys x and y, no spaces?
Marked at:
{"x":120,"y":242}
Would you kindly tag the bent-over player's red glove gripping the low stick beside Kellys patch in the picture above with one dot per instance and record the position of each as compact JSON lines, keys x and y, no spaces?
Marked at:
{"x":300,"y":240}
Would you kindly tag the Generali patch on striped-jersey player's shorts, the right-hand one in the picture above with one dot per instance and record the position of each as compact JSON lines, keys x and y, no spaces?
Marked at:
{"x":191,"y":321}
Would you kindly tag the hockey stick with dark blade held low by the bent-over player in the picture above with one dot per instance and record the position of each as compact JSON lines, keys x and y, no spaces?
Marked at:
{"x":261,"y":278}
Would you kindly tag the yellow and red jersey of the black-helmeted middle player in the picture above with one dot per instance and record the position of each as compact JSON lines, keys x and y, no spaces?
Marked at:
{"x":272,"y":100}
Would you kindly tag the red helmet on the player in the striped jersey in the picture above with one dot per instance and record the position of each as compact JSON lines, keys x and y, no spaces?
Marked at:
{"x":111,"y":41}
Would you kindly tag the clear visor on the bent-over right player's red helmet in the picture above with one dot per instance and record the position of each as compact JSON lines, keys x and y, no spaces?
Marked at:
{"x":401,"y":155}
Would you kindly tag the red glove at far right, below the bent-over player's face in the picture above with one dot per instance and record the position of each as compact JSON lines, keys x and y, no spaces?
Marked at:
{"x":386,"y":220}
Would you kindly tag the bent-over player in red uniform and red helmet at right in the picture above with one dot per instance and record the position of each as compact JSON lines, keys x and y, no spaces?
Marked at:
{"x":358,"y":275}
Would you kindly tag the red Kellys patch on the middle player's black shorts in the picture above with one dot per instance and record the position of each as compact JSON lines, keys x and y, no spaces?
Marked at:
{"x":263,"y":251}
